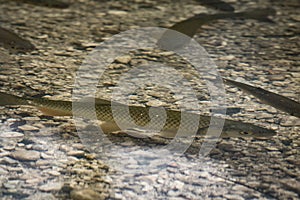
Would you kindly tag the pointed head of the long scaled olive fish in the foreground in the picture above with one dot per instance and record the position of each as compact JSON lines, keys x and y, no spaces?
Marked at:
{"x":241,"y":129}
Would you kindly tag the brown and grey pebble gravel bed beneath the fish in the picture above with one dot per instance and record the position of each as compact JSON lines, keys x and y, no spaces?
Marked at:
{"x":44,"y":157}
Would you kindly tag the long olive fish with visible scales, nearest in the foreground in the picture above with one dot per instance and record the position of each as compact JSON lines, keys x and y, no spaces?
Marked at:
{"x":139,"y":114}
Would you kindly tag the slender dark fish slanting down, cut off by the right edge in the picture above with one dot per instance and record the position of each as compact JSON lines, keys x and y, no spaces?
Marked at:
{"x":275,"y":100}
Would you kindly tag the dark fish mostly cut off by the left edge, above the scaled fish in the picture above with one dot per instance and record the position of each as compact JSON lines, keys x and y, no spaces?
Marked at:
{"x":14,"y":43}
